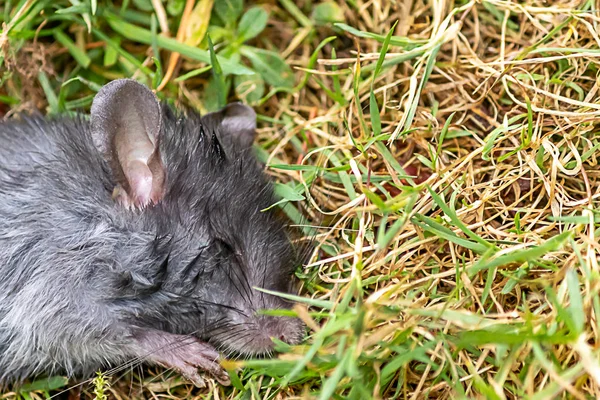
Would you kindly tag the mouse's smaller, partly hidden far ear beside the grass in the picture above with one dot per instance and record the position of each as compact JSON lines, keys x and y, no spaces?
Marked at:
{"x":236,"y":126}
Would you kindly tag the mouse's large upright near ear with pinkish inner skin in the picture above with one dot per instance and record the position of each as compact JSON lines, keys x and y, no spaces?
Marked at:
{"x":126,"y":122}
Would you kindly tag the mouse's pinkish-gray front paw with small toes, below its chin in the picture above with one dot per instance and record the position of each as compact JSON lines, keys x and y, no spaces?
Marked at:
{"x":183,"y":353}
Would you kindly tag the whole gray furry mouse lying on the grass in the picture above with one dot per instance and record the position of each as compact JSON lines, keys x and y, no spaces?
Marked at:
{"x":138,"y":235}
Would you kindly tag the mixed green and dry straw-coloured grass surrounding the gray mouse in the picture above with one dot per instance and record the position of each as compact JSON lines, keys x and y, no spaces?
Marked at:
{"x":447,"y":153}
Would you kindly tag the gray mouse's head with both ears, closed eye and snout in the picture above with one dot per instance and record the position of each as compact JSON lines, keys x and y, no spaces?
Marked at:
{"x":192,"y":185}
